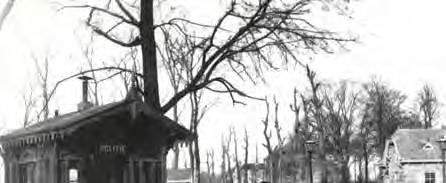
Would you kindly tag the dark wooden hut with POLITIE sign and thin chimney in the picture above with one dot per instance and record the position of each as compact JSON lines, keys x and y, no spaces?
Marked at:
{"x":120,"y":142}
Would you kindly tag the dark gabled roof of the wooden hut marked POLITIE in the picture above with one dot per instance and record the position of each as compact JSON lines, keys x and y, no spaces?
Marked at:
{"x":57,"y":127}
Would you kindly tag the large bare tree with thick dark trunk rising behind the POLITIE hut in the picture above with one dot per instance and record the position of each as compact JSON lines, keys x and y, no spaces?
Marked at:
{"x":265,"y":27}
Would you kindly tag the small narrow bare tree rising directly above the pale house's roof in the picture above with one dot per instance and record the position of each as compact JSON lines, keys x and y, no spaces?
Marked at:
{"x":428,"y":105}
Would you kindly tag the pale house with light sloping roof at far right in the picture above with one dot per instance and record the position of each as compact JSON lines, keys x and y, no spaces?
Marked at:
{"x":413,"y":156}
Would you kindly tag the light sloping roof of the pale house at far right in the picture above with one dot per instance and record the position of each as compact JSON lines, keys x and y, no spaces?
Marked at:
{"x":411,"y":143}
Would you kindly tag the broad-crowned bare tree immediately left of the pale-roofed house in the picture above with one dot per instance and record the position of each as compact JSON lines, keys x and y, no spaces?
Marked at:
{"x":382,"y":115}
